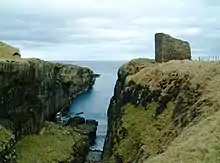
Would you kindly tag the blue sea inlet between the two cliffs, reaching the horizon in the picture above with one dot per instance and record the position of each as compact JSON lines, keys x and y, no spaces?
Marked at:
{"x":95,"y":103}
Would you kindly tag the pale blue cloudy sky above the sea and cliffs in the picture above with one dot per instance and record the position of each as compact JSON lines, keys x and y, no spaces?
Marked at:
{"x":107,"y":29}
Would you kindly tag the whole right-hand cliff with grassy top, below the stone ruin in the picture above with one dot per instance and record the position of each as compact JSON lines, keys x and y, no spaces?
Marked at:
{"x":164,"y":112}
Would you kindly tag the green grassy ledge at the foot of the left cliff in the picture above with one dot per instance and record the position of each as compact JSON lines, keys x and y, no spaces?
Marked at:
{"x":54,"y":144}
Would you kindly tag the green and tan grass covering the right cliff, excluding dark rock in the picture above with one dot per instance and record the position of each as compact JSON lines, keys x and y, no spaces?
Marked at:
{"x":151,"y":135}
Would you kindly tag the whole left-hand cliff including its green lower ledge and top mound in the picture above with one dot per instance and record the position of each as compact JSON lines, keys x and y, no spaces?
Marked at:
{"x":32,"y":92}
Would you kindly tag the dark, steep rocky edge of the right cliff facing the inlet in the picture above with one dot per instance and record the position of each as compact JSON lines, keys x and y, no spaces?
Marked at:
{"x":115,"y":132}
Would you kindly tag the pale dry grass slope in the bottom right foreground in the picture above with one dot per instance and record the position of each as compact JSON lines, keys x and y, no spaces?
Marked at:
{"x":197,"y":144}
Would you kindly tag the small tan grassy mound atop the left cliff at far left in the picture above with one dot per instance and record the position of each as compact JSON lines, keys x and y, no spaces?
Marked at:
{"x":7,"y":51}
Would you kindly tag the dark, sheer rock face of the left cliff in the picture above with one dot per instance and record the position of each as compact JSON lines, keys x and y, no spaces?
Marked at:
{"x":33,"y":91}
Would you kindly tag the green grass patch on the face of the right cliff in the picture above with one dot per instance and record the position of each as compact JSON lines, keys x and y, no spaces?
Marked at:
{"x":144,"y":130}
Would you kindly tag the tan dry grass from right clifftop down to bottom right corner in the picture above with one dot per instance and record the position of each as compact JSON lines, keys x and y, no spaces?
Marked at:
{"x":199,"y":142}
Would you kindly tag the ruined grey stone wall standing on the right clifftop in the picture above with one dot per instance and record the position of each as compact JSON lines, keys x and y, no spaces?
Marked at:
{"x":169,"y":48}
